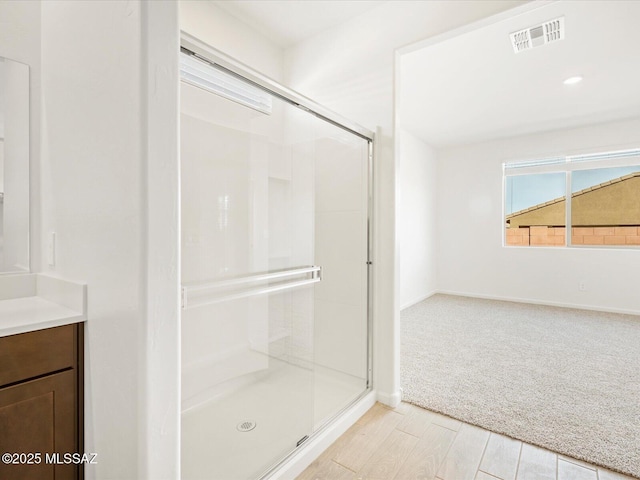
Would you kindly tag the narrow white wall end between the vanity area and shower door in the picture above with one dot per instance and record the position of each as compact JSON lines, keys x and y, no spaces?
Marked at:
{"x":160,"y":400}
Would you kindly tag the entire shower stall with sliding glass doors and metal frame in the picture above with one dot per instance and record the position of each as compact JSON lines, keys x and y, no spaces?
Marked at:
{"x":276,"y":220}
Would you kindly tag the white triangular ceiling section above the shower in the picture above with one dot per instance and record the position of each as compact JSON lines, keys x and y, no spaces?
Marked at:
{"x":288,"y":22}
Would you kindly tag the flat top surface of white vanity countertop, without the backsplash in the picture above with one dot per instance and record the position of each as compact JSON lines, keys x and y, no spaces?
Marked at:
{"x":26,"y":314}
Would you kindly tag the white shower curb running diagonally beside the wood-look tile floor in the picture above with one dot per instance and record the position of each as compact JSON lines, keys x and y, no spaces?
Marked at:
{"x":318,"y":444}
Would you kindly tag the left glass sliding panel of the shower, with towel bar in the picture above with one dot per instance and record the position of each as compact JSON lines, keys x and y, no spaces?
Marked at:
{"x":247,"y":354}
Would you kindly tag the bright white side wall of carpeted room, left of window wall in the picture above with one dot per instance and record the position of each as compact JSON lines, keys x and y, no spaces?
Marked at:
{"x":417,"y":185}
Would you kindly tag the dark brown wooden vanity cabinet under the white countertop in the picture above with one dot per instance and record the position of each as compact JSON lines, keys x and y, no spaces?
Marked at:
{"x":41,"y":378}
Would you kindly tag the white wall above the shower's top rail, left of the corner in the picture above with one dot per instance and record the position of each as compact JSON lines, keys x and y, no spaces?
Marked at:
{"x":230,"y":35}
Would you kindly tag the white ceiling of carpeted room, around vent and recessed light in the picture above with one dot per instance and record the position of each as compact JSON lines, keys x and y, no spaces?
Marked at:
{"x":473,"y":87}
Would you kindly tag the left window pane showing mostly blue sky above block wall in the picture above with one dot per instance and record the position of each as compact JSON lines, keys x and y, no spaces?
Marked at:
{"x":535,"y":209}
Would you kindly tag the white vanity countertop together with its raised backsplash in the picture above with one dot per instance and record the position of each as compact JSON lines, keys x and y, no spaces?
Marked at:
{"x":39,"y":301}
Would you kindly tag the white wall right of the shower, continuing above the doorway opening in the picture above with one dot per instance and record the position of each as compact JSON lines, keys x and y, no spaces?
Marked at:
{"x":350,"y":69}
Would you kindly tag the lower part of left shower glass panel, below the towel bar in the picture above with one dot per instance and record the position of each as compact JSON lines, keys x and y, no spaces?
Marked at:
{"x":263,"y":386}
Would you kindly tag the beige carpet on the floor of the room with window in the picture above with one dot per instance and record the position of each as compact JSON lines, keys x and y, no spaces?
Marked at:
{"x":564,"y":379}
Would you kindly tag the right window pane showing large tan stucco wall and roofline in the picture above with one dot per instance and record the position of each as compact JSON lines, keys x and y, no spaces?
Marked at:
{"x":605,"y":206}
